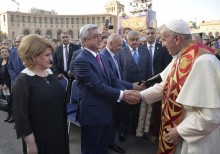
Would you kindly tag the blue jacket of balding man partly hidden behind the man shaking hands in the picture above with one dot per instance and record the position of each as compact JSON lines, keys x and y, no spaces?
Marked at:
{"x":127,"y":85}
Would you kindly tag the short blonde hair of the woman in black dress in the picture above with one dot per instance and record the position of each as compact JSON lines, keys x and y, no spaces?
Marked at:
{"x":31,"y":46}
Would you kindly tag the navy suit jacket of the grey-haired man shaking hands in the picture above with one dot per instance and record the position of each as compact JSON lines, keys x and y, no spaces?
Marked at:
{"x":97,"y":88}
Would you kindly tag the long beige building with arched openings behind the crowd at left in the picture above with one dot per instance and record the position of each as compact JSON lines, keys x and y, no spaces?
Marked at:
{"x":51,"y":25}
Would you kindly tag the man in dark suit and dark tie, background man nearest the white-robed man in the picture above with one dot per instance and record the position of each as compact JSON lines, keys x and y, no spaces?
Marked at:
{"x":160,"y":58}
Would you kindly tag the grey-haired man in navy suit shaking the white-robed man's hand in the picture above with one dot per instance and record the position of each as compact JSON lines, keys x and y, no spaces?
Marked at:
{"x":98,"y":88}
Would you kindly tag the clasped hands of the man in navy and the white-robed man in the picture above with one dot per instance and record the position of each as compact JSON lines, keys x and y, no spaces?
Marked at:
{"x":131,"y":96}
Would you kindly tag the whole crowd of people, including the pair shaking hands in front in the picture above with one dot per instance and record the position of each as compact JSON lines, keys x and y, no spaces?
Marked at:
{"x":165,"y":89}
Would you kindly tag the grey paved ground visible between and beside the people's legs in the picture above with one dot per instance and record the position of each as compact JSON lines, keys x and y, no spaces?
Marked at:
{"x":10,"y":145}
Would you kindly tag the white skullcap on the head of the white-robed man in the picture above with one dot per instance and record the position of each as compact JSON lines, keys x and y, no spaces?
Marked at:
{"x":178,"y":26}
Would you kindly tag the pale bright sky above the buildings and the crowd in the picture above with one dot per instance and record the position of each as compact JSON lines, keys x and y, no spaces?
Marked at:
{"x":188,"y":10}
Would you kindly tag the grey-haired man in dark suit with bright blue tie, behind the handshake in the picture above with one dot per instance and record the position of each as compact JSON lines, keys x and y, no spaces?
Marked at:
{"x":135,"y":63}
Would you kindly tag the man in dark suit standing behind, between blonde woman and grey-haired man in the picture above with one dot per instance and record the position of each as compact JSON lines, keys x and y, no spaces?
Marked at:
{"x":62,"y":56}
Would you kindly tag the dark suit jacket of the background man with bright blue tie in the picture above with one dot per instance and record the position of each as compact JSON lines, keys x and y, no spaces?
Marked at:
{"x":131,"y":71}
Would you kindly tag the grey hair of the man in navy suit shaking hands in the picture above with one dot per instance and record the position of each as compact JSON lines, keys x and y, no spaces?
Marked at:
{"x":84,"y":30}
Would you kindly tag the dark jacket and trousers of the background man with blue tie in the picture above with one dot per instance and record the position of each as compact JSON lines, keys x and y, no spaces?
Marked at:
{"x":133,"y":72}
